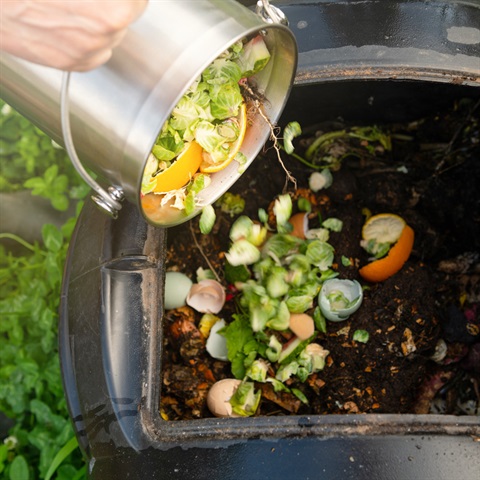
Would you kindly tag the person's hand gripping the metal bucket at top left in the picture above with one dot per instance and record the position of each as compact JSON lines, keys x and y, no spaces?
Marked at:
{"x":75,"y":35}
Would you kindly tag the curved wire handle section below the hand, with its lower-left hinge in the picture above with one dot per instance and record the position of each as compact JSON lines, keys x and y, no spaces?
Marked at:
{"x":108,"y":200}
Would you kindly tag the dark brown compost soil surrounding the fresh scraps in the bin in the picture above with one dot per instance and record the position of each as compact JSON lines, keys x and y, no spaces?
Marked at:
{"x":423,"y":350}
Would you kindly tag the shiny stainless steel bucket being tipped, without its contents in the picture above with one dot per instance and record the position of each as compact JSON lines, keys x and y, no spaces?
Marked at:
{"x":111,"y":116}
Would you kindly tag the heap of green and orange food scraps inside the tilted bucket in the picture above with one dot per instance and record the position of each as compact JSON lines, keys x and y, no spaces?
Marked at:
{"x":205,"y":130}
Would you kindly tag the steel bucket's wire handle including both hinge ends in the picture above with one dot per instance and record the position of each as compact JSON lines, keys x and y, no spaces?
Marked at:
{"x":109,"y":200}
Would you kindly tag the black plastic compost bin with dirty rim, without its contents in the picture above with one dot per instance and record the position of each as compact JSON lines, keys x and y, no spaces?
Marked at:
{"x":360,"y":63}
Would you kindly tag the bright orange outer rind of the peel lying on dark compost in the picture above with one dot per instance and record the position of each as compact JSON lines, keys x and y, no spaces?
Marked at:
{"x":380,"y":270}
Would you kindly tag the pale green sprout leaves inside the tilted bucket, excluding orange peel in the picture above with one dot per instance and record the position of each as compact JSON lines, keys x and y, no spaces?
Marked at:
{"x":209,"y":114}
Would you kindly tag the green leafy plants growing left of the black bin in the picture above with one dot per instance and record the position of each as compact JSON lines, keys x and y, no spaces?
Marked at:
{"x":41,"y":444}
